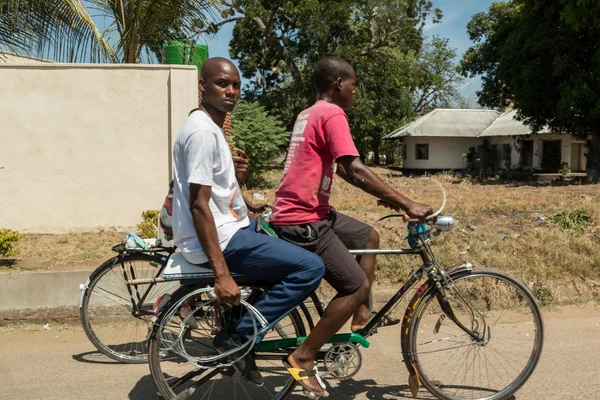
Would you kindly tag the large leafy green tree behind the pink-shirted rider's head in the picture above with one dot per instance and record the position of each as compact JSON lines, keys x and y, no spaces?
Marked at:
{"x":278,"y":42}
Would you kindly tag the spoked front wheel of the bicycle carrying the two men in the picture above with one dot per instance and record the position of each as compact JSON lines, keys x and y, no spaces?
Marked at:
{"x":507,"y":323}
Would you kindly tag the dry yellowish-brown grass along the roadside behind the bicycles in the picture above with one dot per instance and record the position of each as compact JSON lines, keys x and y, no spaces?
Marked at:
{"x":497,"y":225}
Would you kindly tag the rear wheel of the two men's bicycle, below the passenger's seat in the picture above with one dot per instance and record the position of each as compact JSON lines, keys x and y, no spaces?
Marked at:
{"x":184,"y":374}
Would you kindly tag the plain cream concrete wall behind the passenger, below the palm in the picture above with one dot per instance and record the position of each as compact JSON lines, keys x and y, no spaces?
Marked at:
{"x":87,"y":146}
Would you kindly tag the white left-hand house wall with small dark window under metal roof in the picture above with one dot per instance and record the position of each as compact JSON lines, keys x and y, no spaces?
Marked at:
{"x":444,"y":153}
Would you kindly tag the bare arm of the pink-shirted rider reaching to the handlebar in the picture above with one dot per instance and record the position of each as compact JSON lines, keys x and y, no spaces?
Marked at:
{"x":353,"y":171}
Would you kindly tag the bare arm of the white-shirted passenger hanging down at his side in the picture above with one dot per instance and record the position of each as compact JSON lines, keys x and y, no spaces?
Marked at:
{"x":226,"y":289}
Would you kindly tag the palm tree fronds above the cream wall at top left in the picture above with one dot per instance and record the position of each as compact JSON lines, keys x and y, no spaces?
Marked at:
{"x":125,"y":31}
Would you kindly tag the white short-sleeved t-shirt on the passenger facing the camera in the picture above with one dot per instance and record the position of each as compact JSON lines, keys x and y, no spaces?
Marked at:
{"x":201,"y":155}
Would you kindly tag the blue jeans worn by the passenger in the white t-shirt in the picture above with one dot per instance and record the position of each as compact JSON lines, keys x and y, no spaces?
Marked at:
{"x":295,"y":273}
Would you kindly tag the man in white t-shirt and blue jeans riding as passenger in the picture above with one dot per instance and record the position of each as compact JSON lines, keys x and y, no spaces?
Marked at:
{"x":210,"y":221}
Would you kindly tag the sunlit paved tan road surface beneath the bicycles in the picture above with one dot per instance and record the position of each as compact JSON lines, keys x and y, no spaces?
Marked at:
{"x":63,"y":365}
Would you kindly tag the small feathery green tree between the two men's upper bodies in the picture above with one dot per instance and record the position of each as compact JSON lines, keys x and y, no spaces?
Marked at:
{"x":260,"y":135}
